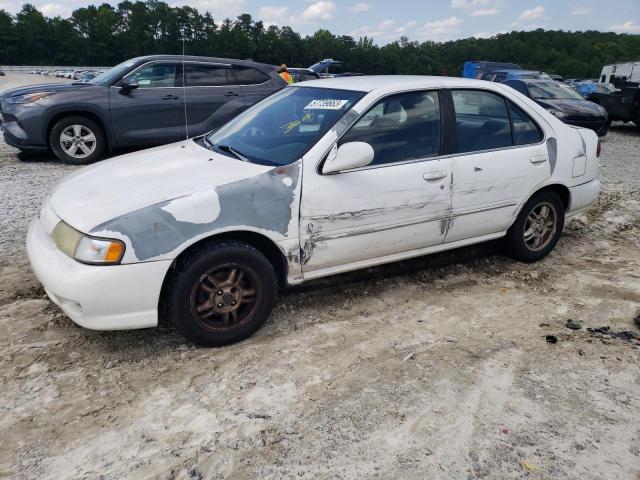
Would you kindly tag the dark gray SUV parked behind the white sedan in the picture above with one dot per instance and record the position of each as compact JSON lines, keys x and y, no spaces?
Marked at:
{"x":145,"y":101}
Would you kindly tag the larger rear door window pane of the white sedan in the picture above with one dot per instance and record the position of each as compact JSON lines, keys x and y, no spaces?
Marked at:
{"x":482,"y":121}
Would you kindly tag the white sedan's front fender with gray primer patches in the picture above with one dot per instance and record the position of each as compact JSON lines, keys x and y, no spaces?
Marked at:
{"x":266,"y":204}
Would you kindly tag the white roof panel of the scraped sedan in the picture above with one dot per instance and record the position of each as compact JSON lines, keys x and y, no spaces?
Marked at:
{"x":369,"y":83}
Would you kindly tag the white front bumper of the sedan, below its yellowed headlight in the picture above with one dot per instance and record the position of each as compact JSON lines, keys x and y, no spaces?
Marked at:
{"x":116,"y":297}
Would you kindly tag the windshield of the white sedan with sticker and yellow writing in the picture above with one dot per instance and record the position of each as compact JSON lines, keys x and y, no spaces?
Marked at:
{"x":282,"y":127}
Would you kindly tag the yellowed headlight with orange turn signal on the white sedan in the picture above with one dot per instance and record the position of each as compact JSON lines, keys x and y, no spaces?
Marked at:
{"x":87,"y":249}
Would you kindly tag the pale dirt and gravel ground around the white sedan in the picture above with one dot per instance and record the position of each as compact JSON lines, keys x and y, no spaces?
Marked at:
{"x":435,"y":368}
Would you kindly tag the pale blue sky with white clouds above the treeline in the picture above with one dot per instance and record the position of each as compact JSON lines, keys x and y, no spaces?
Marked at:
{"x":388,"y":20}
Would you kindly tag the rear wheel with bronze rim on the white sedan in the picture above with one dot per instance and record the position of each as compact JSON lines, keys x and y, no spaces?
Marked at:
{"x":537,"y":229}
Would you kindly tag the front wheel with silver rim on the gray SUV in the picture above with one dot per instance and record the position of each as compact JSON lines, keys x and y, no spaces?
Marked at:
{"x":77,"y":140}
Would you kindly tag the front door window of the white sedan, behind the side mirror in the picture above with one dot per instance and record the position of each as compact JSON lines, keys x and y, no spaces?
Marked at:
{"x":400,"y":127}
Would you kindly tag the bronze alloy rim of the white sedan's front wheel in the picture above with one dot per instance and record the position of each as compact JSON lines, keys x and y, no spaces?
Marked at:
{"x":226,"y":298}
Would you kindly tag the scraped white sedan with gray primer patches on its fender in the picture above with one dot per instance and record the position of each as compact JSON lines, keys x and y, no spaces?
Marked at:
{"x":320,"y":178}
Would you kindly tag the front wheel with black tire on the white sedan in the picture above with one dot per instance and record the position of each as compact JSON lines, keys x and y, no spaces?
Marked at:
{"x":220,"y":293}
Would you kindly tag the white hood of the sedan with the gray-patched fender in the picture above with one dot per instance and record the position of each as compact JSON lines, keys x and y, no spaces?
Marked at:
{"x":114,"y":187}
